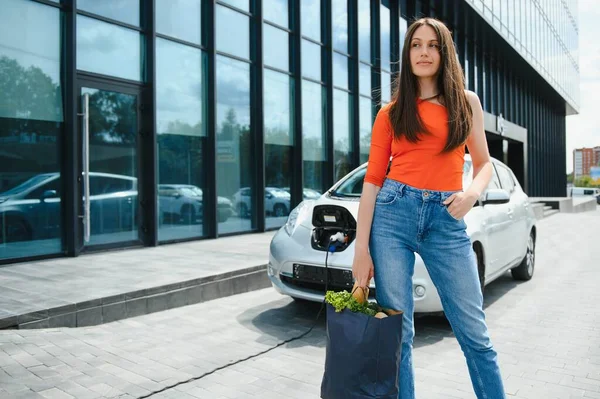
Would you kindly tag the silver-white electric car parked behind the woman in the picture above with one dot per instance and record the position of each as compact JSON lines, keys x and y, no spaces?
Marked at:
{"x":501,"y":227}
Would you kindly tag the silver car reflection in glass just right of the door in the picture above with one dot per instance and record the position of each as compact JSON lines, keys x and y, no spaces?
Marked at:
{"x":183,"y":202}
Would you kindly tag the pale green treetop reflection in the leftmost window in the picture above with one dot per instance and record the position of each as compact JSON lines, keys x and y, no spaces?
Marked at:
{"x":28,"y":93}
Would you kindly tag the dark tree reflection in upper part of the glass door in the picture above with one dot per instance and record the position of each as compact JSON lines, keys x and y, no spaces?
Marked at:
{"x":113,"y":117}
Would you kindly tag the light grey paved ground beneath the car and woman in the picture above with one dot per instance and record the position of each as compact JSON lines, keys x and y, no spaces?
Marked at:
{"x":545,"y":331}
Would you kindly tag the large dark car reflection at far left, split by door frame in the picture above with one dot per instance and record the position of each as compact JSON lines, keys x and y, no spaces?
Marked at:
{"x":31,"y":210}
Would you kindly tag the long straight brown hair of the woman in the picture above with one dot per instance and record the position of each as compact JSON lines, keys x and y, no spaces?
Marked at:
{"x":404,"y":116}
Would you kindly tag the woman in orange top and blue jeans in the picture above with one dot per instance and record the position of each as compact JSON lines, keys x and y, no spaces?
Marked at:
{"x":419,"y":206}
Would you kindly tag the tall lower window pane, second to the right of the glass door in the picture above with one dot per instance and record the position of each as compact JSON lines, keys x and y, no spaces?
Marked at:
{"x":234,"y":143}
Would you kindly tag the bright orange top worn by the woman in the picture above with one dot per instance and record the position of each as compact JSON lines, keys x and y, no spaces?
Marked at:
{"x":422,"y":164}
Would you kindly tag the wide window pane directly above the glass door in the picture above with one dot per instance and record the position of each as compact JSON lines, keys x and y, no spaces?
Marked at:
{"x":108,"y":49}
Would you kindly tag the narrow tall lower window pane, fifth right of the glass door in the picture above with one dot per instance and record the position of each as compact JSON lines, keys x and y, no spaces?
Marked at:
{"x":342,"y":134}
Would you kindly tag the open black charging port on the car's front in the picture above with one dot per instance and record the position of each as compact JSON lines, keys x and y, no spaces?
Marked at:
{"x":333,"y":225}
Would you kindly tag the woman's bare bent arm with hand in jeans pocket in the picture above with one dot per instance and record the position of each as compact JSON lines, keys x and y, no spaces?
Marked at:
{"x":461,"y":203}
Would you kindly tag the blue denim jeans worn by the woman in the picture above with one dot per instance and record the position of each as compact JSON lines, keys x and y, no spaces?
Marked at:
{"x":406,"y":221}
